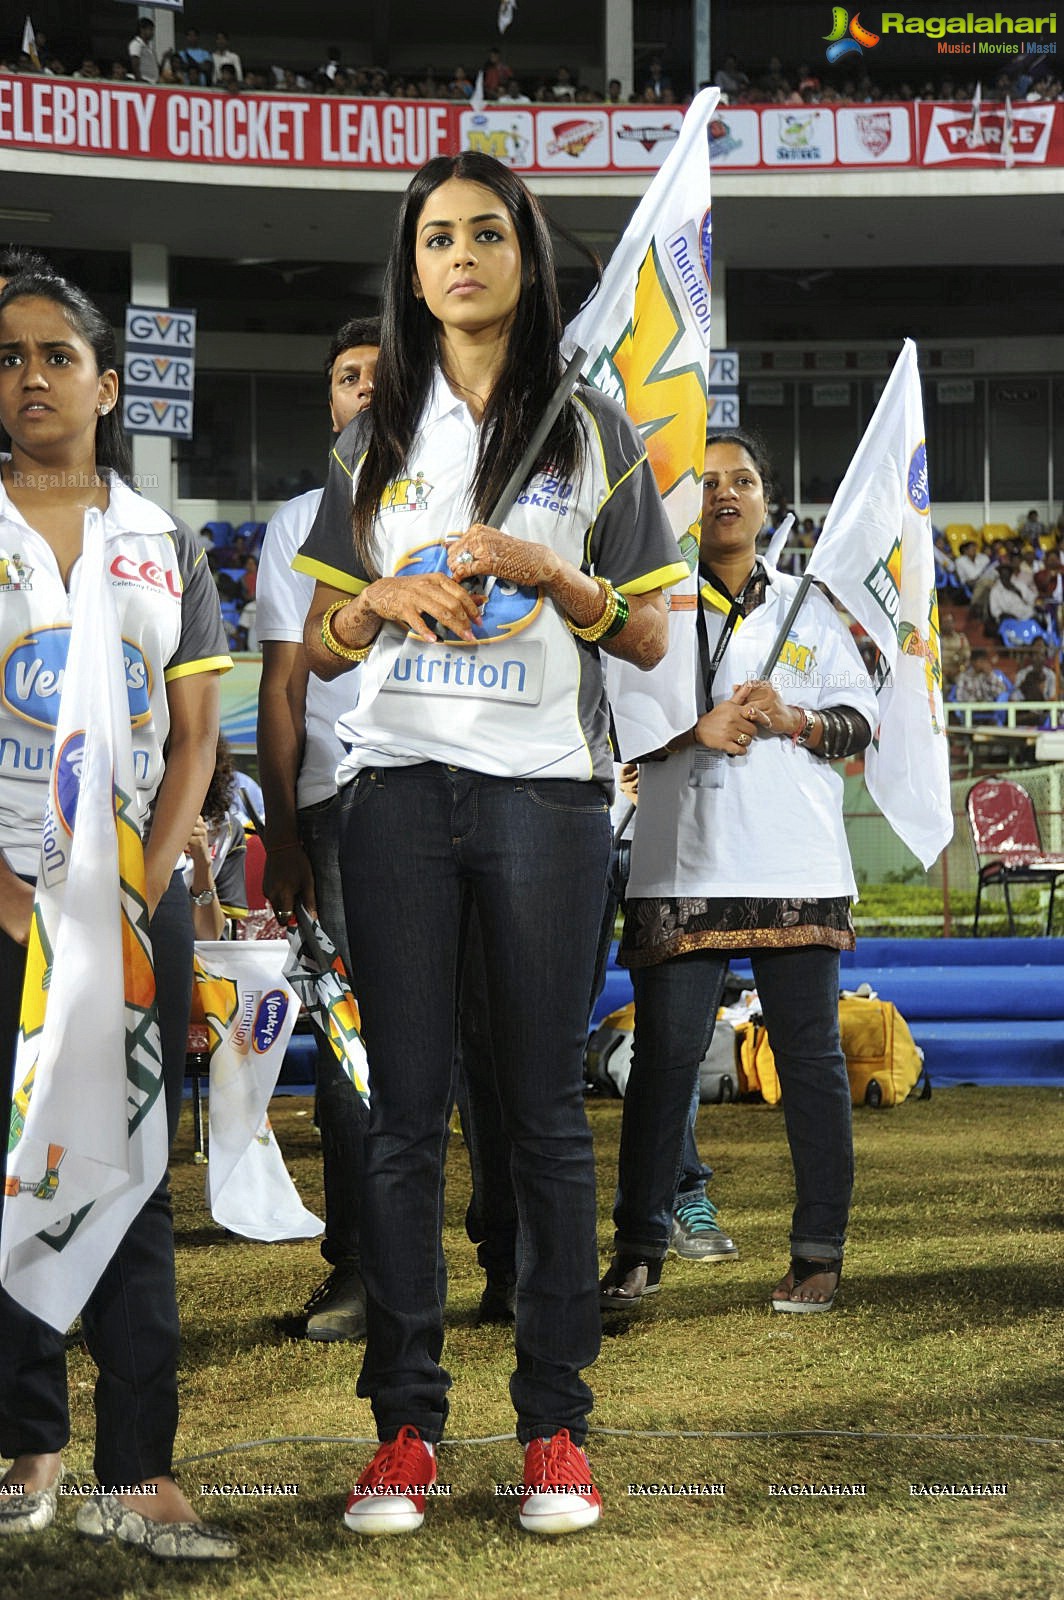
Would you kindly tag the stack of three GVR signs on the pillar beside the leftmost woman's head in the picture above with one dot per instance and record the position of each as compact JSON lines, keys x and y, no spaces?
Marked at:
{"x":159,"y":372}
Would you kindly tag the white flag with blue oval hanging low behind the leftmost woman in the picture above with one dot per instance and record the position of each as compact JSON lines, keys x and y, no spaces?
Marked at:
{"x":250,"y":1012}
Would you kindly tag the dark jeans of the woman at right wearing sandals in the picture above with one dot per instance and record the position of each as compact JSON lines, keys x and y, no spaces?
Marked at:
{"x":676,"y":1007}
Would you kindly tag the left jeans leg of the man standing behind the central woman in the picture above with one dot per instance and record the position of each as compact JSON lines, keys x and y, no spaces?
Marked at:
{"x":340,"y":1110}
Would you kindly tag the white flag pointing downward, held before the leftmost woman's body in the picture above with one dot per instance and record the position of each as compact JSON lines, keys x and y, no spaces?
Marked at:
{"x":89,"y":1121}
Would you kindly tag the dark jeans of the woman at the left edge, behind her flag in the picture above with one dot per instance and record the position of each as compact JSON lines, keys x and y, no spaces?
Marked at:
{"x":130,"y":1321}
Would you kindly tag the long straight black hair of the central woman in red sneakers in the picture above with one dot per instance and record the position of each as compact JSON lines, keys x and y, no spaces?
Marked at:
{"x":410,"y":353}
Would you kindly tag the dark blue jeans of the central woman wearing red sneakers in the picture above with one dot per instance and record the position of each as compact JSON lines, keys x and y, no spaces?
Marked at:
{"x":420,"y":846}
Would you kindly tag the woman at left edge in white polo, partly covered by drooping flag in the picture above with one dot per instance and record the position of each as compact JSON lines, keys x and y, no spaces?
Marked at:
{"x":71,"y":463}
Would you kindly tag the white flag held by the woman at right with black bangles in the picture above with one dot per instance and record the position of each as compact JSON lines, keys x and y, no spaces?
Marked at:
{"x":878,"y":558}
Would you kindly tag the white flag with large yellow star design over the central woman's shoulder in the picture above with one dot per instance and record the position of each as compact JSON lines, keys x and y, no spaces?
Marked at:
{"x":647,"y":335}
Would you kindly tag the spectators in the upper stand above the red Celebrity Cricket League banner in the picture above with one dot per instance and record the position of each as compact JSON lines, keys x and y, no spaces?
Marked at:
{"x":217,"y":65}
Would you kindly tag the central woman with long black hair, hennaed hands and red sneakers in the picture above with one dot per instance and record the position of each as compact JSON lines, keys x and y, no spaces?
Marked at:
{"x":479,"y":770}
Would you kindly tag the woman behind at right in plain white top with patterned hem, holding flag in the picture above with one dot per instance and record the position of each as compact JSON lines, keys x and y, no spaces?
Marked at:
{"x":740,"y":849}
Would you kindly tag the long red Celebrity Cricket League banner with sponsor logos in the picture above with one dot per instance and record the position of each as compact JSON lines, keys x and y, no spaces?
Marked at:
{"x":204,"y":127}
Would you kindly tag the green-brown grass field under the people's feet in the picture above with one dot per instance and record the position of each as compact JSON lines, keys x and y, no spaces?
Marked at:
{"x":942,"y":1366}
